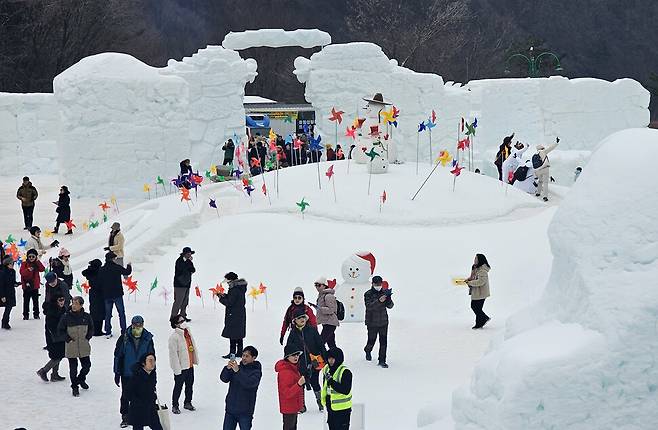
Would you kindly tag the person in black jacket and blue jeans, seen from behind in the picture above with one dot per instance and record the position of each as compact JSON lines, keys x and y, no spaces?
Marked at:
{"x":110,"y":278}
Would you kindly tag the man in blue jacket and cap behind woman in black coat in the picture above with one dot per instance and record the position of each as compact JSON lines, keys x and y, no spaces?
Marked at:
{"x":130,"y":347}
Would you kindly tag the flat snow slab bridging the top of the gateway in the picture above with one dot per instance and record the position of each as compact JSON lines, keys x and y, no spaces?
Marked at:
{"x":275,"y":38}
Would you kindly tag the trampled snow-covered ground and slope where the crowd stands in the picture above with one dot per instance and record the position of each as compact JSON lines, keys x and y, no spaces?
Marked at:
{"x":419,"y":247}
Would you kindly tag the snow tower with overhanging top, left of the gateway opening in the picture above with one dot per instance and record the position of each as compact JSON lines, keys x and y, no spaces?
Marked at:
{"x":216,"y":78}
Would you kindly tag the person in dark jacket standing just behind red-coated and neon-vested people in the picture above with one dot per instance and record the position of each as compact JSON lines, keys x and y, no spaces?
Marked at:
{"x":304,"y":337}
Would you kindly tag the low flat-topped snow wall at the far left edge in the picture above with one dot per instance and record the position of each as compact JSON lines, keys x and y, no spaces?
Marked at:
{"x":29,"y":128}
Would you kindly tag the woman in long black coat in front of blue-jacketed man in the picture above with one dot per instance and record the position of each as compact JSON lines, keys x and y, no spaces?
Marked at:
{"x":144,"y":409}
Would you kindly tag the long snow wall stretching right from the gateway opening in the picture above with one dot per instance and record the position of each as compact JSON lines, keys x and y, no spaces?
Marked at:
{"x":581,"y":111}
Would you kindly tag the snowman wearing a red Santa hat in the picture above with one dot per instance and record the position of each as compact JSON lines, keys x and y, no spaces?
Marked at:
{"x":357,"y":270}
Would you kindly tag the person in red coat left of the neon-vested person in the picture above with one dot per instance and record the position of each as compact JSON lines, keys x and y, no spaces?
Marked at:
{"x":291,"y":387}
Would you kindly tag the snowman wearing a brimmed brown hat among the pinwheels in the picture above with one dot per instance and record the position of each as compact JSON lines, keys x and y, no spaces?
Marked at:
{"x":373,"y":136}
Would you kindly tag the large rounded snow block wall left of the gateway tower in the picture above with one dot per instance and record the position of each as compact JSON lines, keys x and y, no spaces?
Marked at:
{"x":123,"y":124}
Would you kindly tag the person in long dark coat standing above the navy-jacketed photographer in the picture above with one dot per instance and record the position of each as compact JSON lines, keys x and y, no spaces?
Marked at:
{"x":235,"y":318}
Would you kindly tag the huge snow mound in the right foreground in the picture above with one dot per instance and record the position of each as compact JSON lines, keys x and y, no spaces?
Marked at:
{"x":584,"y":357}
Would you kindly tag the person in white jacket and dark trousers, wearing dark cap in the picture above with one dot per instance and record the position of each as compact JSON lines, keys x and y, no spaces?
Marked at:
{"x":183,"y":355}
